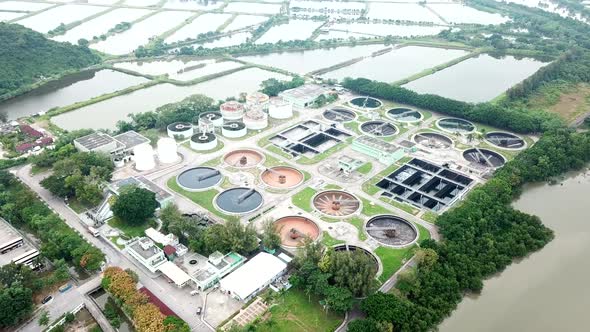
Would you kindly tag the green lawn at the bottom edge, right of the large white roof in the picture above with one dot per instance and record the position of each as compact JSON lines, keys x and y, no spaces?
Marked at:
{"x":295,"y":313}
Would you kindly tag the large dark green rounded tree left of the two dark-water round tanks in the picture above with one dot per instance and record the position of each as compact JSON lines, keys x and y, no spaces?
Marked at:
{"x":135,"y":205}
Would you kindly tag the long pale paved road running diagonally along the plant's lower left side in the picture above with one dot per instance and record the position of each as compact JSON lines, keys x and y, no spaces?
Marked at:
{"x":178,"y":300}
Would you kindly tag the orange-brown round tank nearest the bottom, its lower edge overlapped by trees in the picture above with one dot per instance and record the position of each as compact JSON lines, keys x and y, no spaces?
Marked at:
{"x":294,"y":229}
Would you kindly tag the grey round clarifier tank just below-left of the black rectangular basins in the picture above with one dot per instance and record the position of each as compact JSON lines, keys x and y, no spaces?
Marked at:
{"x":391,"y":230}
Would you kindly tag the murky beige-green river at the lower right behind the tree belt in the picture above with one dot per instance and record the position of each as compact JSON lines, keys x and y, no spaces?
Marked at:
{"x":547,"y":291}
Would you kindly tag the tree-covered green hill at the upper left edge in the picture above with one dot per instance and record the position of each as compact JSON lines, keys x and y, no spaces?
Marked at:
{"x":26,"y":56}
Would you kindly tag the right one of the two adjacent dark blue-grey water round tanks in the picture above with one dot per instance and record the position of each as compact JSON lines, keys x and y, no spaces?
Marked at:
{"x":239,"y":201}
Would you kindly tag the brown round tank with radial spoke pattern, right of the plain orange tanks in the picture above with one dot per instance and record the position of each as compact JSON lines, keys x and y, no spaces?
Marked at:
{"x":336,"y":203}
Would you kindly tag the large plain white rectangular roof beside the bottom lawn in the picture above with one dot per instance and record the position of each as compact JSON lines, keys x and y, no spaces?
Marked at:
{"x":252,"y":277}
